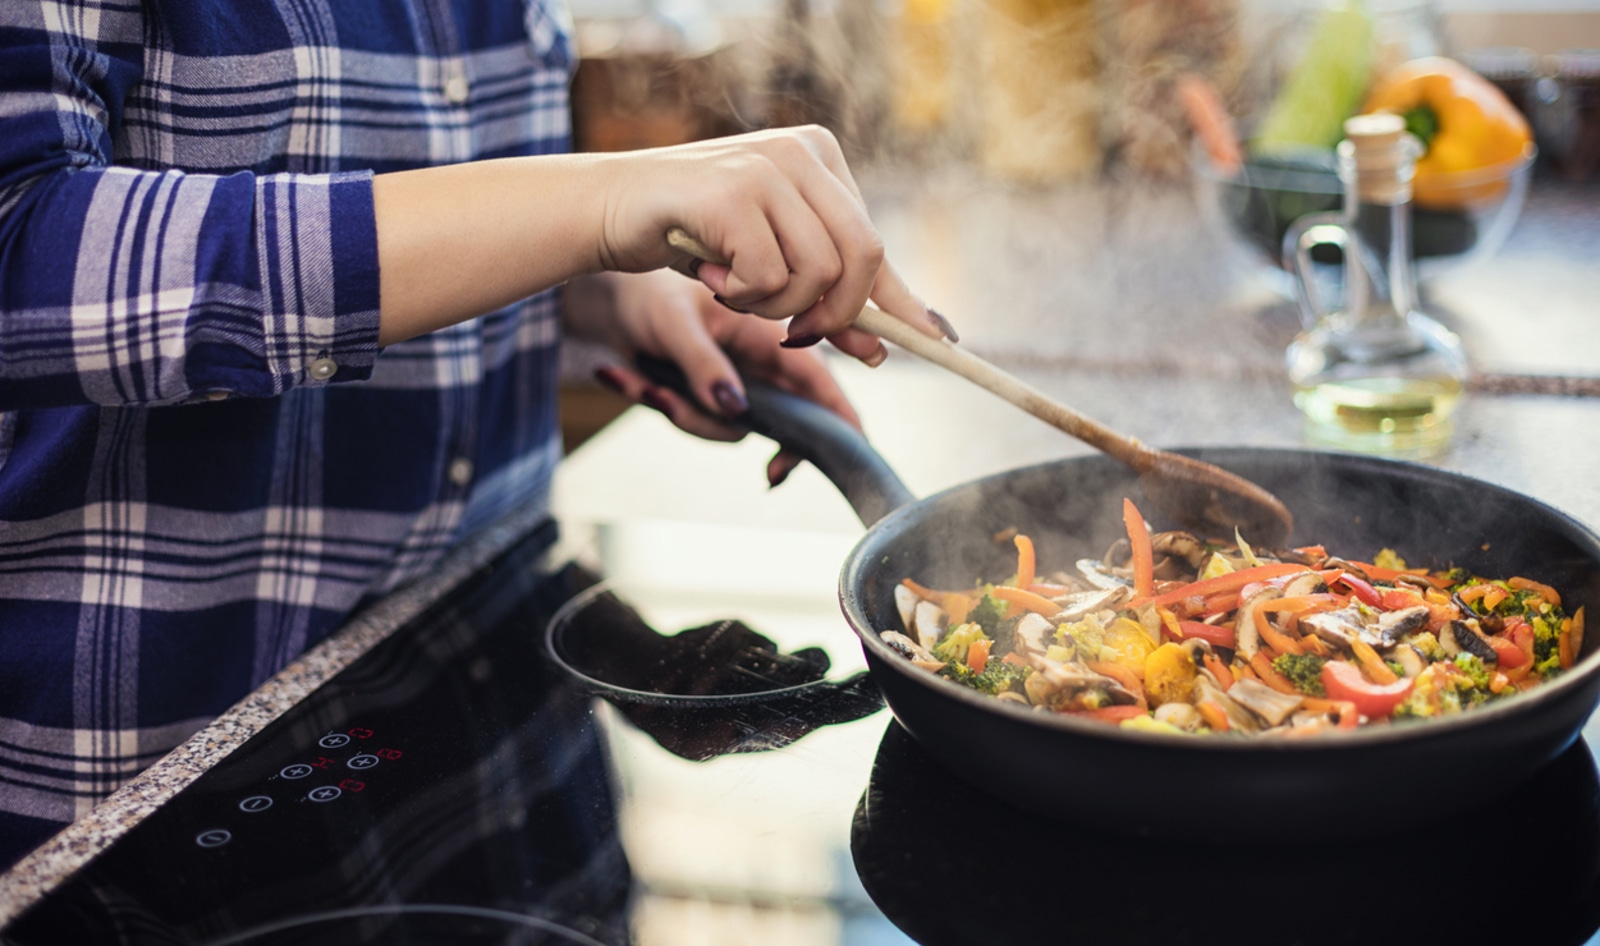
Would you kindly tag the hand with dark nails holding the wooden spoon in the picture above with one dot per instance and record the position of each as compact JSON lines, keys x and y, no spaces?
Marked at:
{"x":783,"y":209}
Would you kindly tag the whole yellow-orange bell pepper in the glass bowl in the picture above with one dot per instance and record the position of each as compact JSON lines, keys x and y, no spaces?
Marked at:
{"x":1465,"y":122}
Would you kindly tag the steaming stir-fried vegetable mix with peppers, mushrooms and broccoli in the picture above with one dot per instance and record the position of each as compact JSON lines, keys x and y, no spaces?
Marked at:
{"x":1218,"y":638}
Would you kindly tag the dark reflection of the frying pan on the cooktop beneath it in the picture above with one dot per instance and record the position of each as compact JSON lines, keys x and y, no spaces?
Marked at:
{"x":951,"y":865}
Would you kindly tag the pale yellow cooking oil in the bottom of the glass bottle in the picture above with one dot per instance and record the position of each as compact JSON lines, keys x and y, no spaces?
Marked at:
{"x":1398,"y":417}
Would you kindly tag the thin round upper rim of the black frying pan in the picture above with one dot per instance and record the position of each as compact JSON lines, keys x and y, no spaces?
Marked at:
{"x":1580,"y":678}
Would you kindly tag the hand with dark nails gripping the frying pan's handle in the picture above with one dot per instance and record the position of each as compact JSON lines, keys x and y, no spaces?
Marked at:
{"x":674,"y":318}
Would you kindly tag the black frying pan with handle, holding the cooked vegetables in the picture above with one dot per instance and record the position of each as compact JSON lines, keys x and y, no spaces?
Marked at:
{"x":1367,"y":782}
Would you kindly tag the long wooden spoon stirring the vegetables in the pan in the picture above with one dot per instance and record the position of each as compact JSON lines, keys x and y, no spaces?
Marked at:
{"x":1199,"y":495}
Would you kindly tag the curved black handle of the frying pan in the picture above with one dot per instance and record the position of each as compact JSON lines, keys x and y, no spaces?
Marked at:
{"x":812,"y":431}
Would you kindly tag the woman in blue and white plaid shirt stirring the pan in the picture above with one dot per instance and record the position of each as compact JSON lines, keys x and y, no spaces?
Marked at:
{"x":279,"y":324}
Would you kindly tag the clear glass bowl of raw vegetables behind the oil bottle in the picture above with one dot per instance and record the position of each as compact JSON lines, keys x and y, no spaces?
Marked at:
{"x":1455,"y":218}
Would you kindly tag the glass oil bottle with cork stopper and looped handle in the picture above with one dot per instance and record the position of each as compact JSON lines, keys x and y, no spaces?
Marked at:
{"x":1372,"y":374}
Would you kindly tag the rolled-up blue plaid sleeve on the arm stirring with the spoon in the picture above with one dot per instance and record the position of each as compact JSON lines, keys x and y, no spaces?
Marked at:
{"x":145,"y":286}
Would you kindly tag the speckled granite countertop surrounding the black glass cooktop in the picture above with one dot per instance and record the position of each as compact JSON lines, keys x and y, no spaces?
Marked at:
{"x":1118,"y":302}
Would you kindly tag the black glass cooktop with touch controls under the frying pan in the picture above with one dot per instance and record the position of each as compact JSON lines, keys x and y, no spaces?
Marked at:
{"x":458,"y":785}
